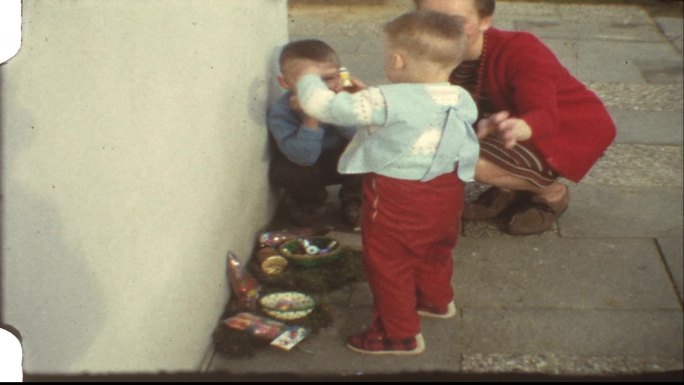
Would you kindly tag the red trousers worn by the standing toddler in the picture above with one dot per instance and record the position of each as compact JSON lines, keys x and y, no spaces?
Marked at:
{"x":409,"y":229}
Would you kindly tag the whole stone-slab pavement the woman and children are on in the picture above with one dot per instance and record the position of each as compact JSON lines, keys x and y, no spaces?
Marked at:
{"x":601,"y":294}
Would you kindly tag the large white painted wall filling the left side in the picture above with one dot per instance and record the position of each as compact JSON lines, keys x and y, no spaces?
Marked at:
{"x":134,"y":155}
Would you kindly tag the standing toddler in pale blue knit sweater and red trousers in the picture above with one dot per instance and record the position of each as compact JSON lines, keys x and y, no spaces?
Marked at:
{"x":415,"y":146}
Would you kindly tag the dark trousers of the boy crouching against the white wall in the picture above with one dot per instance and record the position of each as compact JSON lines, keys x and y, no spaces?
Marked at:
{"x":307,"y":184}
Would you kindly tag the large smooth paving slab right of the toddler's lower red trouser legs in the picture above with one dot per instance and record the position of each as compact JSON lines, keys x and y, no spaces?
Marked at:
{"x":561,"y":274}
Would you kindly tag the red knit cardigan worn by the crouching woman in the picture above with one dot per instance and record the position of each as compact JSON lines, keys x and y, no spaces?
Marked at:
{"x":571,"y":127}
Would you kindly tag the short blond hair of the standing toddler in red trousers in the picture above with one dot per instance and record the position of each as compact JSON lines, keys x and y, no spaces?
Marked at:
{"x":429,"y":35}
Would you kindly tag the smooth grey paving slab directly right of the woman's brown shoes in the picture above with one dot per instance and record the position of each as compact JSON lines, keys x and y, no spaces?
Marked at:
{"x":623,"y":212}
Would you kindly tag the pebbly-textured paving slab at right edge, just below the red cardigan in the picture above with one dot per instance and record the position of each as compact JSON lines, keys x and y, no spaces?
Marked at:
{"x":638,"y":165}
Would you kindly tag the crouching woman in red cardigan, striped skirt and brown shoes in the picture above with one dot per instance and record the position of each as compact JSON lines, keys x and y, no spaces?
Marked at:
{"x":537,"y":122}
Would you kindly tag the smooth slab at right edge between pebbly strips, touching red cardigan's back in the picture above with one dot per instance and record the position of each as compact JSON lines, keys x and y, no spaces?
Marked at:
{"x":648,"y":127}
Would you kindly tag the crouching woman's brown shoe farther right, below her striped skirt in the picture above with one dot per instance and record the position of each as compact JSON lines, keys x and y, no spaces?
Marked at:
{"x":538,"y":216}
